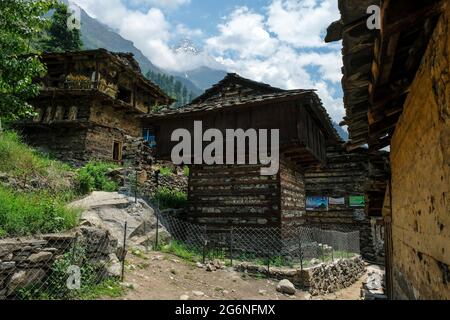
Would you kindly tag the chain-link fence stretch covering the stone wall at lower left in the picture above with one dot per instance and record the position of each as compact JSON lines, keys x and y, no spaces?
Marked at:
{"x":63,"y":266}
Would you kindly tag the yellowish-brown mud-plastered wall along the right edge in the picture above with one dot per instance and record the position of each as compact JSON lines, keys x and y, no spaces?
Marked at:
{"x":420,"y":156}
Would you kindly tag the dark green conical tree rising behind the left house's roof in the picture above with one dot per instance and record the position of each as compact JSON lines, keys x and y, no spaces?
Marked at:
{"x":59,"y":37}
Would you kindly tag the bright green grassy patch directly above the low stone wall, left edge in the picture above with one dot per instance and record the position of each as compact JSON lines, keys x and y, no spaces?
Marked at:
{"x":31,"y":213}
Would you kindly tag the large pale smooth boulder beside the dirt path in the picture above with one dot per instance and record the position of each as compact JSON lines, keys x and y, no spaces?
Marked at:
{"x":110,"y":211}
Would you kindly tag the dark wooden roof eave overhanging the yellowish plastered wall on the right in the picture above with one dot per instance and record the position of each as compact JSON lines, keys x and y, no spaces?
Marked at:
{"x":387,"y":87}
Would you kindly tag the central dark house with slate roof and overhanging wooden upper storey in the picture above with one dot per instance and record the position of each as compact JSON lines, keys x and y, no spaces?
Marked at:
{"x":223,"y":195}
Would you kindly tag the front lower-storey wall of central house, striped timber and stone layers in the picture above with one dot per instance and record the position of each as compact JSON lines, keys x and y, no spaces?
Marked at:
{"x":224,"y":196}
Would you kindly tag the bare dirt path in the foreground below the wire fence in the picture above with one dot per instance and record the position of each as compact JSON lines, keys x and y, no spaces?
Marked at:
{"x":159,"y":276}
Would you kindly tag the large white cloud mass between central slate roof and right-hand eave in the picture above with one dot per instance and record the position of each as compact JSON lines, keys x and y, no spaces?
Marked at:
{"x":283,"y":48}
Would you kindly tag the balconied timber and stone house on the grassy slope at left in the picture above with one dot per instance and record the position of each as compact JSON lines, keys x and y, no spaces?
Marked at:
{"x":89,"y":103}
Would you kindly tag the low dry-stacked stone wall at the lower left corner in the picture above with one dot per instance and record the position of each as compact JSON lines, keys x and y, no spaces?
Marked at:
{"x":27,"y":263}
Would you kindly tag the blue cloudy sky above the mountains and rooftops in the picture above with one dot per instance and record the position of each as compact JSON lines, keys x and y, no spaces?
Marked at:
{"x":279,"y":42}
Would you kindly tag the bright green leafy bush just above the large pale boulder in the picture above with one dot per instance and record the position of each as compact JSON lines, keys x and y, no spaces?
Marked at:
{"x":93,"y":177}
